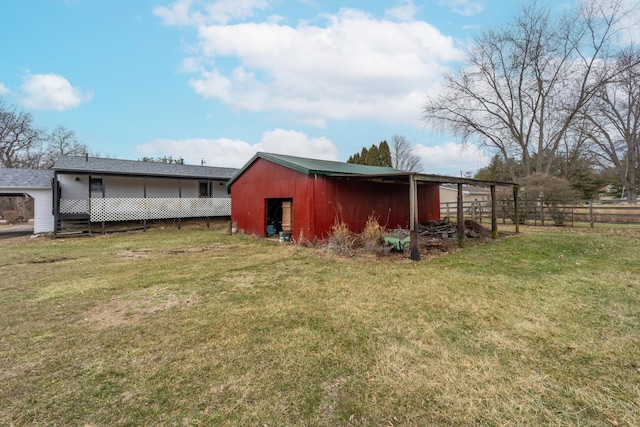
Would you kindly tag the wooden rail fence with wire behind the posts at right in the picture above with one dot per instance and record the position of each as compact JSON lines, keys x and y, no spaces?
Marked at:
{"x":549,"y":212}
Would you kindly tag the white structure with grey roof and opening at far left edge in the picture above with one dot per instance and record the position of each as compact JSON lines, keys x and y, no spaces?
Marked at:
{"x":35,"y":183}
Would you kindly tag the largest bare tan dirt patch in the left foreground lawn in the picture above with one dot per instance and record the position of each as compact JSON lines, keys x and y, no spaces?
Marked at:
{"x":131,"y":309}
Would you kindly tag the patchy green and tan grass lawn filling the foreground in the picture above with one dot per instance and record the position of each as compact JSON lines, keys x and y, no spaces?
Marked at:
{"x":195,"y":327}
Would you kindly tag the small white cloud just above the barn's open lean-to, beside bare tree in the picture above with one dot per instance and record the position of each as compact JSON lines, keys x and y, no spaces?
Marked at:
{"x":451,"y":158}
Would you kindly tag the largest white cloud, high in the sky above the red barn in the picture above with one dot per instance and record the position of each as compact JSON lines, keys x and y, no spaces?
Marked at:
{"x":355,"y":67}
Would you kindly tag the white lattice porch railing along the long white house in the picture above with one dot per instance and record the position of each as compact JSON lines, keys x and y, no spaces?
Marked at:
{"x":130,"y":209}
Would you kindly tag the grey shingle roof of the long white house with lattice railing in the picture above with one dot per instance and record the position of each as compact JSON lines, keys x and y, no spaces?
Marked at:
{"x":96,"y":165}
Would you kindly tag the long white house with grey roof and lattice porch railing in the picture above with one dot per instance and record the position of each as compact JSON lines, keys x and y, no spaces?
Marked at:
{"x":89,"y":190}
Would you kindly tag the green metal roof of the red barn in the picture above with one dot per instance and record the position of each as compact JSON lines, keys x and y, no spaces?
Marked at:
{"x":318,"y":167}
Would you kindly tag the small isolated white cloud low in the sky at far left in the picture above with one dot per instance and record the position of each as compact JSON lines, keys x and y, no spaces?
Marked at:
{"x":51,"y":92}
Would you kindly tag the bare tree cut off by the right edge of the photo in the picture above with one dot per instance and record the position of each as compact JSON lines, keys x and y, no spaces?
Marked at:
{"x":613,"y":123}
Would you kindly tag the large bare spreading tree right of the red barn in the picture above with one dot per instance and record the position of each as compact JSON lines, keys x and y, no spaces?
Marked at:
{"x":526,"y":84}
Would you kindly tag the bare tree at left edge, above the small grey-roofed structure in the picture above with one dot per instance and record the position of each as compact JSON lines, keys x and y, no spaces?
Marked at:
{"x":20,"y":141}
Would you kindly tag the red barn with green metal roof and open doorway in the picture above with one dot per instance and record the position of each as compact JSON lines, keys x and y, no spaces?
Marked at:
{"x":303,"y":197}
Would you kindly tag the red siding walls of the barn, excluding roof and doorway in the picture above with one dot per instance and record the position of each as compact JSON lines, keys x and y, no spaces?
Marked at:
{"x":317,"y":200}
